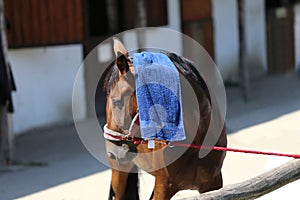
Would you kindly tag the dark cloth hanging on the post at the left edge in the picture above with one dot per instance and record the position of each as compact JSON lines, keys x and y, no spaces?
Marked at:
{"x":7,"y":83}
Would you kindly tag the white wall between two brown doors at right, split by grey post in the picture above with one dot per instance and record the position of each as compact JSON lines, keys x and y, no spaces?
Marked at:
{"x":226,"y":37}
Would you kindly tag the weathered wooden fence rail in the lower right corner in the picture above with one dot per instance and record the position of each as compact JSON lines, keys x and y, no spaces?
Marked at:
{"x":257,"y":186}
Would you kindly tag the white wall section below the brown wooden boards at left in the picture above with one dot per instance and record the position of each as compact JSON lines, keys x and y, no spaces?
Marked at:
{"x":44,"y":77}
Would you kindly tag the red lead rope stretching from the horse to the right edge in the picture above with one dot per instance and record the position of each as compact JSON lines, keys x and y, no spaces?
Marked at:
{"x":297,"y":156}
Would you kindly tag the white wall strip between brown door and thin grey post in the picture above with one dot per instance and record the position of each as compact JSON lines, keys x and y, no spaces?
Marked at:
{"x":226,"y":38}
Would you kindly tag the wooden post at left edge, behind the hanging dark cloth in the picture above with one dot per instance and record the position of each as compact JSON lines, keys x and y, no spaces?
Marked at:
{"x":6,"y":134}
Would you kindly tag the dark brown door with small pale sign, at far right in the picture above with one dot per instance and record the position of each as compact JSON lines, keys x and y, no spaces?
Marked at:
{"x":280,"y":35}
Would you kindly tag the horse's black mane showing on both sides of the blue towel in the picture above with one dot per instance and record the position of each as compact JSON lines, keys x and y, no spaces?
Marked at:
{"x":185,"y":66}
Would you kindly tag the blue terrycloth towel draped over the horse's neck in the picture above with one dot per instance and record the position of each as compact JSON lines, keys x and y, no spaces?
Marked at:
{"x":159,"y":97}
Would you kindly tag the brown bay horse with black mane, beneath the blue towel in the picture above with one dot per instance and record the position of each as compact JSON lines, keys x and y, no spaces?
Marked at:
{"x":126,"y":155}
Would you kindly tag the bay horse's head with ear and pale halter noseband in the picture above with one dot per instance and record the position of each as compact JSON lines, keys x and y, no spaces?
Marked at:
{"x":121,"y":104}
